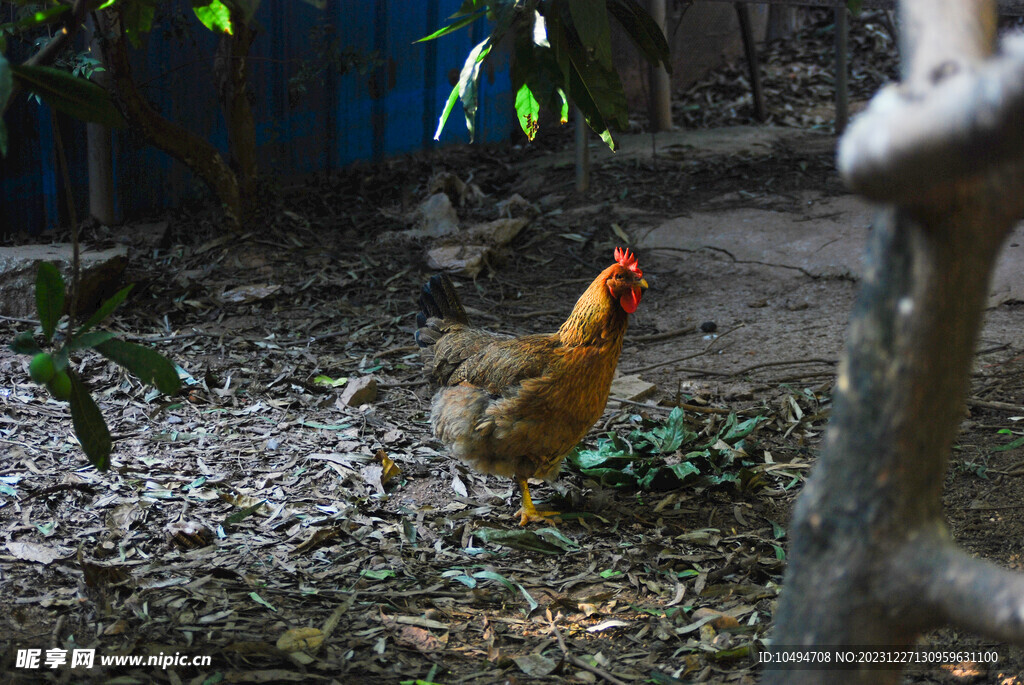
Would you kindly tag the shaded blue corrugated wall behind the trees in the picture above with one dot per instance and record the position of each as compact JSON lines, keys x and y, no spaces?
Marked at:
{"x":343,"y":119}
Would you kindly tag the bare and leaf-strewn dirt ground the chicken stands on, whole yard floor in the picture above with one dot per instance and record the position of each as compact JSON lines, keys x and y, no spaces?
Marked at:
{"x":257,"y":518}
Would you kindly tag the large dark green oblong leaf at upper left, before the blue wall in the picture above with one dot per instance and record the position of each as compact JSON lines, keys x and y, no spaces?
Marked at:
{"x":77,"y":98}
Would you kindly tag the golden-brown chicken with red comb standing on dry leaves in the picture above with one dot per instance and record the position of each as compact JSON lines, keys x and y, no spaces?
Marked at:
{"x":516,"y":407}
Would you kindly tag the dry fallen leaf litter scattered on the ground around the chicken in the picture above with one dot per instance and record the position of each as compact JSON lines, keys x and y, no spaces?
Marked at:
{"x":294,"y":537}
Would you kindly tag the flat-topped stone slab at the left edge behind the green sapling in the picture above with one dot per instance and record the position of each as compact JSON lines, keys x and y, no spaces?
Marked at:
{"x":102,"y":274}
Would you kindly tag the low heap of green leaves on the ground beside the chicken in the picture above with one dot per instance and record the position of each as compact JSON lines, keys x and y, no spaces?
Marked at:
{"x":667,"y":455}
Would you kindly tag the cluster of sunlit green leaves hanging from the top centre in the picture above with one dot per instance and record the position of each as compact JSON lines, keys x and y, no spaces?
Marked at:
{"x":562,"y":52}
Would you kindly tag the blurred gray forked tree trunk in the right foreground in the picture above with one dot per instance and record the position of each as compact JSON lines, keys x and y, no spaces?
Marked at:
{"x":872,"y":562}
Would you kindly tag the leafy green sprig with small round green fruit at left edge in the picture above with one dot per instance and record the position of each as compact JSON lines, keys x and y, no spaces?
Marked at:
{"x":52,"y":369}
